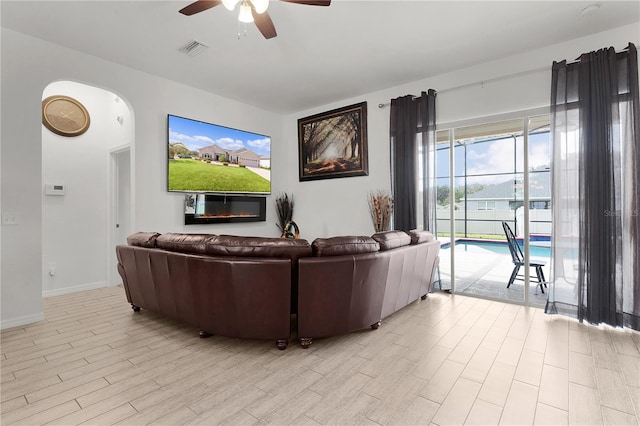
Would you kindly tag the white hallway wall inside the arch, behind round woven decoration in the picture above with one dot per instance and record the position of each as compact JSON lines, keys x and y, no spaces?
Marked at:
{"x":74,"y":226}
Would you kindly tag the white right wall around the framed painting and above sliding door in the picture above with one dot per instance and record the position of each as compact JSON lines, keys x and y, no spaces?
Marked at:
{"x":339,"y":206}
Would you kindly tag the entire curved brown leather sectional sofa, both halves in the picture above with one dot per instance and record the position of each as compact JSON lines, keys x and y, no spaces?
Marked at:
{"x":249,"y":287}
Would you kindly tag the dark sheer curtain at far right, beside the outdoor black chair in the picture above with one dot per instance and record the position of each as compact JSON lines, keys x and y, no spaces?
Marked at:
{"x":596,"y":188}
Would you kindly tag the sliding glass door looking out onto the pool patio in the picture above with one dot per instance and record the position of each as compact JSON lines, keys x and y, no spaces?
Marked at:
{"x":488,"y":174}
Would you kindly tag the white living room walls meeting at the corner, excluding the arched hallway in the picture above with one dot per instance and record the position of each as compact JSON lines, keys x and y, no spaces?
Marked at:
{"x":323,"y":208}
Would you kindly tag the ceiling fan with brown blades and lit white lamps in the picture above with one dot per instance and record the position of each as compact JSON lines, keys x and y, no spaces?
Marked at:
{"x":250,"y":11}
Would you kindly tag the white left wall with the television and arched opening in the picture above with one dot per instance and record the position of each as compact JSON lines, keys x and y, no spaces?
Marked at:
{"x":29,"y":65}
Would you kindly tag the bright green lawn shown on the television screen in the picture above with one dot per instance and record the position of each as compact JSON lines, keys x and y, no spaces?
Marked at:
{"x":194,"y":175}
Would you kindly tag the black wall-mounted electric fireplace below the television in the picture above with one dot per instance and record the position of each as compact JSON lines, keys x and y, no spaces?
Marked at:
{"x":209,"y":208}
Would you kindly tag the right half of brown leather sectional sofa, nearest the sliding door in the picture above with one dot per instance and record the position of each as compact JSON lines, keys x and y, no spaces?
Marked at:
{"x":354,"y":282}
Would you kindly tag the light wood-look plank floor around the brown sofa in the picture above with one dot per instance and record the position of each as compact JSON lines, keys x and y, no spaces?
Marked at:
{"x":446,"y":360}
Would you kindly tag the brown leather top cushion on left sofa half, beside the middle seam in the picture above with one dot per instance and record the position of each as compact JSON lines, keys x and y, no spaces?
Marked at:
{"x":232,"y":245}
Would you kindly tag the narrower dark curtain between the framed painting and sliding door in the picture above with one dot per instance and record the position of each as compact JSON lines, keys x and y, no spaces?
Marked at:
{"x":412,"y":133}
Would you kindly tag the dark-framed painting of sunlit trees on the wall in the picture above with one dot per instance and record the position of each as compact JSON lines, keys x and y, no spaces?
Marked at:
{"x":333,"y":144}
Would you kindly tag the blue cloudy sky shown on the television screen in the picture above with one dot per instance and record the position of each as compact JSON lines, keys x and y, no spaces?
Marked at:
{"x":197,"y":134}
